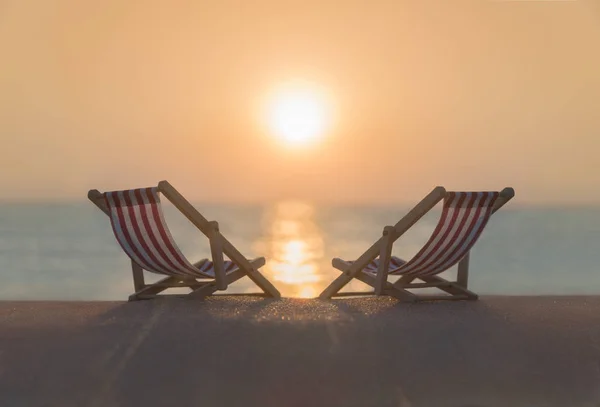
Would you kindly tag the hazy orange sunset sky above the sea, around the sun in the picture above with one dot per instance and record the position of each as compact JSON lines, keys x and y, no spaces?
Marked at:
{"x":471,"y":95}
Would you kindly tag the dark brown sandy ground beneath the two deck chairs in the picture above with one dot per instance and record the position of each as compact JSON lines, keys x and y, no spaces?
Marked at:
{"x":235,"y":351}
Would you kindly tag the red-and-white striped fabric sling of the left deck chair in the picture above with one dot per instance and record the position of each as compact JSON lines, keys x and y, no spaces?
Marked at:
{"x":140,"y":228}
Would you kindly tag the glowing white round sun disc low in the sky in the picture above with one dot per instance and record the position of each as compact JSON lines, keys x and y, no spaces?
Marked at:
{"x":298,"y":114}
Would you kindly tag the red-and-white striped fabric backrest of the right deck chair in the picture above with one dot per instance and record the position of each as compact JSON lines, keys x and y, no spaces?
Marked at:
{"x":464,"y":216}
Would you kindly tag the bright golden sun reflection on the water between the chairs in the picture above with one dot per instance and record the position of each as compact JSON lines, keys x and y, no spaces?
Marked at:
{"x":293,"y":246}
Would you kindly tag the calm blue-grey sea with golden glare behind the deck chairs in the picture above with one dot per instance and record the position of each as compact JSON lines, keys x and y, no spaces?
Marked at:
{"x":68,"y":252}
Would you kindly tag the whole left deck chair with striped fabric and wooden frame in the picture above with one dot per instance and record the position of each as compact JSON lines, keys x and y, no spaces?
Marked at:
{"x":139,"y":225}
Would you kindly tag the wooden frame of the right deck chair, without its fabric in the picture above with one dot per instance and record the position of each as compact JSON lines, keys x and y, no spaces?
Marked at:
{"x":458,"y":289}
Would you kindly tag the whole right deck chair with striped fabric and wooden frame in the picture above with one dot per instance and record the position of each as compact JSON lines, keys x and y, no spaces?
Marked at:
{"x":464,"y":216}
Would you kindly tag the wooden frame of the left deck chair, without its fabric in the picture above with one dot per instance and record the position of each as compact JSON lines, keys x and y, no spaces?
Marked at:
{"x":219,"y":246}
